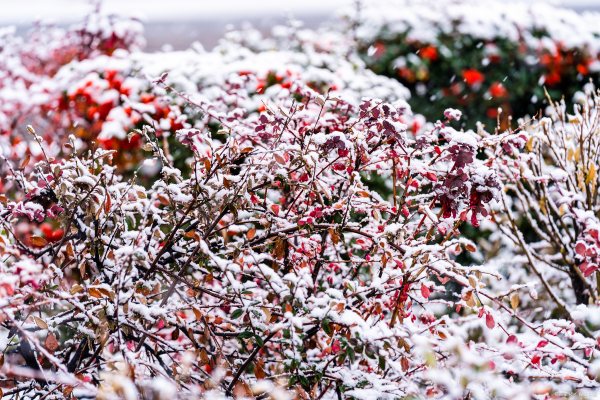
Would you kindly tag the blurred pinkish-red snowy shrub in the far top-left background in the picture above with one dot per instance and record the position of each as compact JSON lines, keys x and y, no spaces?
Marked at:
{"x":28,"y":62}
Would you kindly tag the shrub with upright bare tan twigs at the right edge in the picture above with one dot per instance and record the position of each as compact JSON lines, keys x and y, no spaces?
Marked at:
{"x":551,"y":202}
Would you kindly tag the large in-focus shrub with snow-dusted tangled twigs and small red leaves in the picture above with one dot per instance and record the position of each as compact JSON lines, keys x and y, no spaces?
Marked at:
{"x":279,"y":257}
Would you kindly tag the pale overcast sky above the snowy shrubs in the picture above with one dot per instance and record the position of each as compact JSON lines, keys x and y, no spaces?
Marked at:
{"x":182,"y":22}
